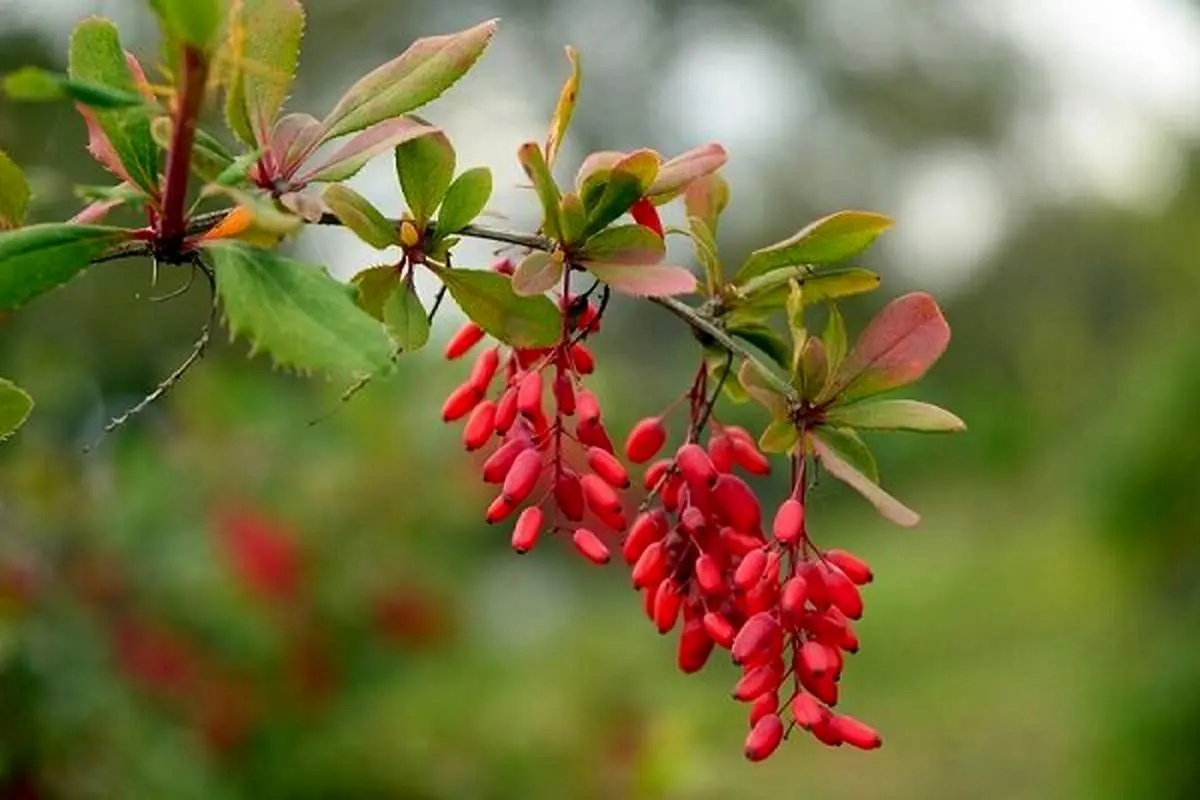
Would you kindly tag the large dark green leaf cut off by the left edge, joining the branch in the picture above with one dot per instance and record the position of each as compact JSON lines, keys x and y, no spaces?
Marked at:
{"x":39,"y":258}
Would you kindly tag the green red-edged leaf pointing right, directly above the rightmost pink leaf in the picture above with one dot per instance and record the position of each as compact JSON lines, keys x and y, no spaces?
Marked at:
{"x":836,"y":238}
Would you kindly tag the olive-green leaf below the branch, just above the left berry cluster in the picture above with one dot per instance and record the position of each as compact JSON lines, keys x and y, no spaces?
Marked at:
{"x":488,"y":298}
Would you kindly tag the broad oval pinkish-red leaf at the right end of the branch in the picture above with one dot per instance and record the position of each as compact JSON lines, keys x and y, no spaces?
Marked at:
{"x":897,"y":348}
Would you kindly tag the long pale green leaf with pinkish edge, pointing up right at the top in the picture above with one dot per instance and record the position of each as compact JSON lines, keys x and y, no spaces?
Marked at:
{"x":419,"y":75}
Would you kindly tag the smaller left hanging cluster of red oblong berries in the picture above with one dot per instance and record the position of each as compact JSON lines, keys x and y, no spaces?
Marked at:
{"x":563,"y":461}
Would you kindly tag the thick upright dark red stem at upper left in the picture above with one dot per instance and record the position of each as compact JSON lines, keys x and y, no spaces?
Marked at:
{"x":194,"y":77}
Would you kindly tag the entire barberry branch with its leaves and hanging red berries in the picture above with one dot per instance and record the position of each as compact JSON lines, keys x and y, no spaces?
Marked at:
{"x":700,"y":549}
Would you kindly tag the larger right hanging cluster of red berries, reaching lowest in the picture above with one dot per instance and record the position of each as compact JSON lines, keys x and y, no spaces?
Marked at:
{"x":779,"y":605}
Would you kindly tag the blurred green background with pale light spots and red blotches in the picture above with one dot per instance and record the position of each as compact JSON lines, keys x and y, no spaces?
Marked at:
{"x":1035,"y":637}
